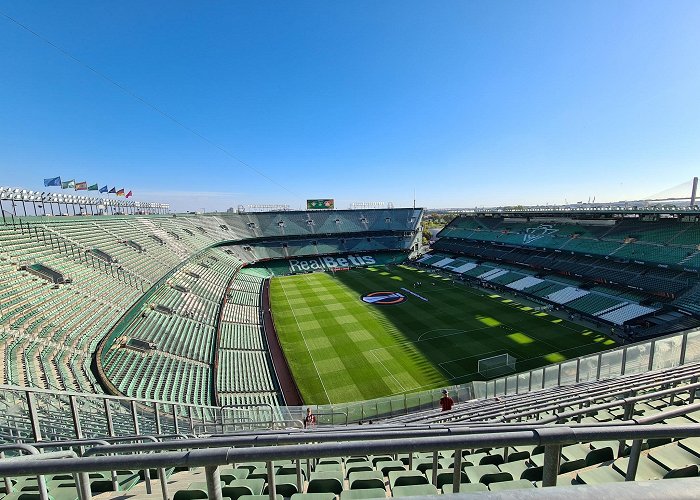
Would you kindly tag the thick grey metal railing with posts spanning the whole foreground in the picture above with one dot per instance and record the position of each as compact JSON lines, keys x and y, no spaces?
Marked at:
{"x":212,"y":453}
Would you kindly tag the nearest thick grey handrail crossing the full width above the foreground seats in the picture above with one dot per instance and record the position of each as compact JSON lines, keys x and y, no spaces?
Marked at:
{"x":552,"y":438}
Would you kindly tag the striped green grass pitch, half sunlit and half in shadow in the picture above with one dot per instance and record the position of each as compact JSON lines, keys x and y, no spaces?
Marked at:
{"x":342,"y":349}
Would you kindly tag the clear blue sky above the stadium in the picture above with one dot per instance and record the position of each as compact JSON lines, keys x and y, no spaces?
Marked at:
{"x":467,"y":102}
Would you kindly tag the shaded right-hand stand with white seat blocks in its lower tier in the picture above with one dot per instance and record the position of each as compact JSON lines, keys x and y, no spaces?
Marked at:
{"x":627,"y":270}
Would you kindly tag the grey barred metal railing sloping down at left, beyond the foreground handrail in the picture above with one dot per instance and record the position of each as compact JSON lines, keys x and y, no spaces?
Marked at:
{"x":32,"y":414}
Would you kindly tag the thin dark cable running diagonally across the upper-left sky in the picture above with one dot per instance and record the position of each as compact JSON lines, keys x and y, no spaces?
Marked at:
{"x":143,"y":101}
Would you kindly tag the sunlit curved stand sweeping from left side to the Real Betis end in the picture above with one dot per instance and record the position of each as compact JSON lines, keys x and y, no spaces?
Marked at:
{"x":156,"y":284}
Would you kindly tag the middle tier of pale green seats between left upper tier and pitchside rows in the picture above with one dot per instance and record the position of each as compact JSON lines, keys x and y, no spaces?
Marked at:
{"x":179,"y":323}
